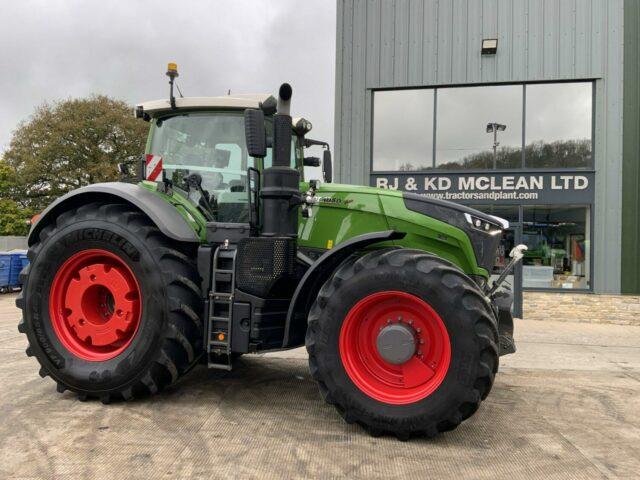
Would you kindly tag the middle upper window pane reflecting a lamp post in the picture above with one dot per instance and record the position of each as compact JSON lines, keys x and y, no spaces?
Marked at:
{"x":464,"y":138}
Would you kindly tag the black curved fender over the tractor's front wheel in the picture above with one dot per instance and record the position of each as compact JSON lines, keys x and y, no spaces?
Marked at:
{"x":316,"y":275}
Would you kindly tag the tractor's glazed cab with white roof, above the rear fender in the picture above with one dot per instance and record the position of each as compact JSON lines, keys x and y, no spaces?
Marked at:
{"x":206,"y":136}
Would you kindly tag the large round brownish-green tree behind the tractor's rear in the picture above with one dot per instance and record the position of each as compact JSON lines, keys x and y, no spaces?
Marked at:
{"x":70,"y":144}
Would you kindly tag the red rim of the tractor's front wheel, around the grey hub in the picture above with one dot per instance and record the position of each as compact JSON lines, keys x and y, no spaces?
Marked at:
{"x":411,"y":381}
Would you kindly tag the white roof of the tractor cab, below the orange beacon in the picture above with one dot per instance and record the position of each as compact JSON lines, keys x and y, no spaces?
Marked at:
{"x":227,"y":102}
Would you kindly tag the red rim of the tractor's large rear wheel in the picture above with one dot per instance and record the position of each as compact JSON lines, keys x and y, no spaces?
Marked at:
{"x":95,"y":305}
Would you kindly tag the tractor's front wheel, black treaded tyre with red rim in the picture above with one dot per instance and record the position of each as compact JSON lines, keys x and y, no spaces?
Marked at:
{"x":452,"y":314}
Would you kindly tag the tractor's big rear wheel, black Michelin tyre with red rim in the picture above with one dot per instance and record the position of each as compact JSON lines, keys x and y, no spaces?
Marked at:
{"x":154,"y":277}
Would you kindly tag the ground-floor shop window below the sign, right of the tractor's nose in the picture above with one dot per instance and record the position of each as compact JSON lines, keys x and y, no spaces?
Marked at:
{"x":559,"y":247}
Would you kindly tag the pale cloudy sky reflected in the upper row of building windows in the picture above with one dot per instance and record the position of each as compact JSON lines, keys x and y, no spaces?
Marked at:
{"x":403,"y":122}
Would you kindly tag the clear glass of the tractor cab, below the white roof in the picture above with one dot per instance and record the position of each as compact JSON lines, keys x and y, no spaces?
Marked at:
{"x":213,"y":145}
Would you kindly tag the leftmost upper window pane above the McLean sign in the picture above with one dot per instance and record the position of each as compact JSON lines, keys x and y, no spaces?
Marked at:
{"x":403,"y":130}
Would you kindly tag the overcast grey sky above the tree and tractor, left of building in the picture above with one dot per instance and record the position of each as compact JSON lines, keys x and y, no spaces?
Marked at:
{"x":53,"y":50}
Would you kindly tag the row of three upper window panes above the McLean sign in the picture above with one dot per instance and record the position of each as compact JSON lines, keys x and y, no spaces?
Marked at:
{"x":558,"y":127}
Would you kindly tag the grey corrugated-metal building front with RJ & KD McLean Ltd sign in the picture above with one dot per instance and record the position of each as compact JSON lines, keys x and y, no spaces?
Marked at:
{"x":527,"y":109}
